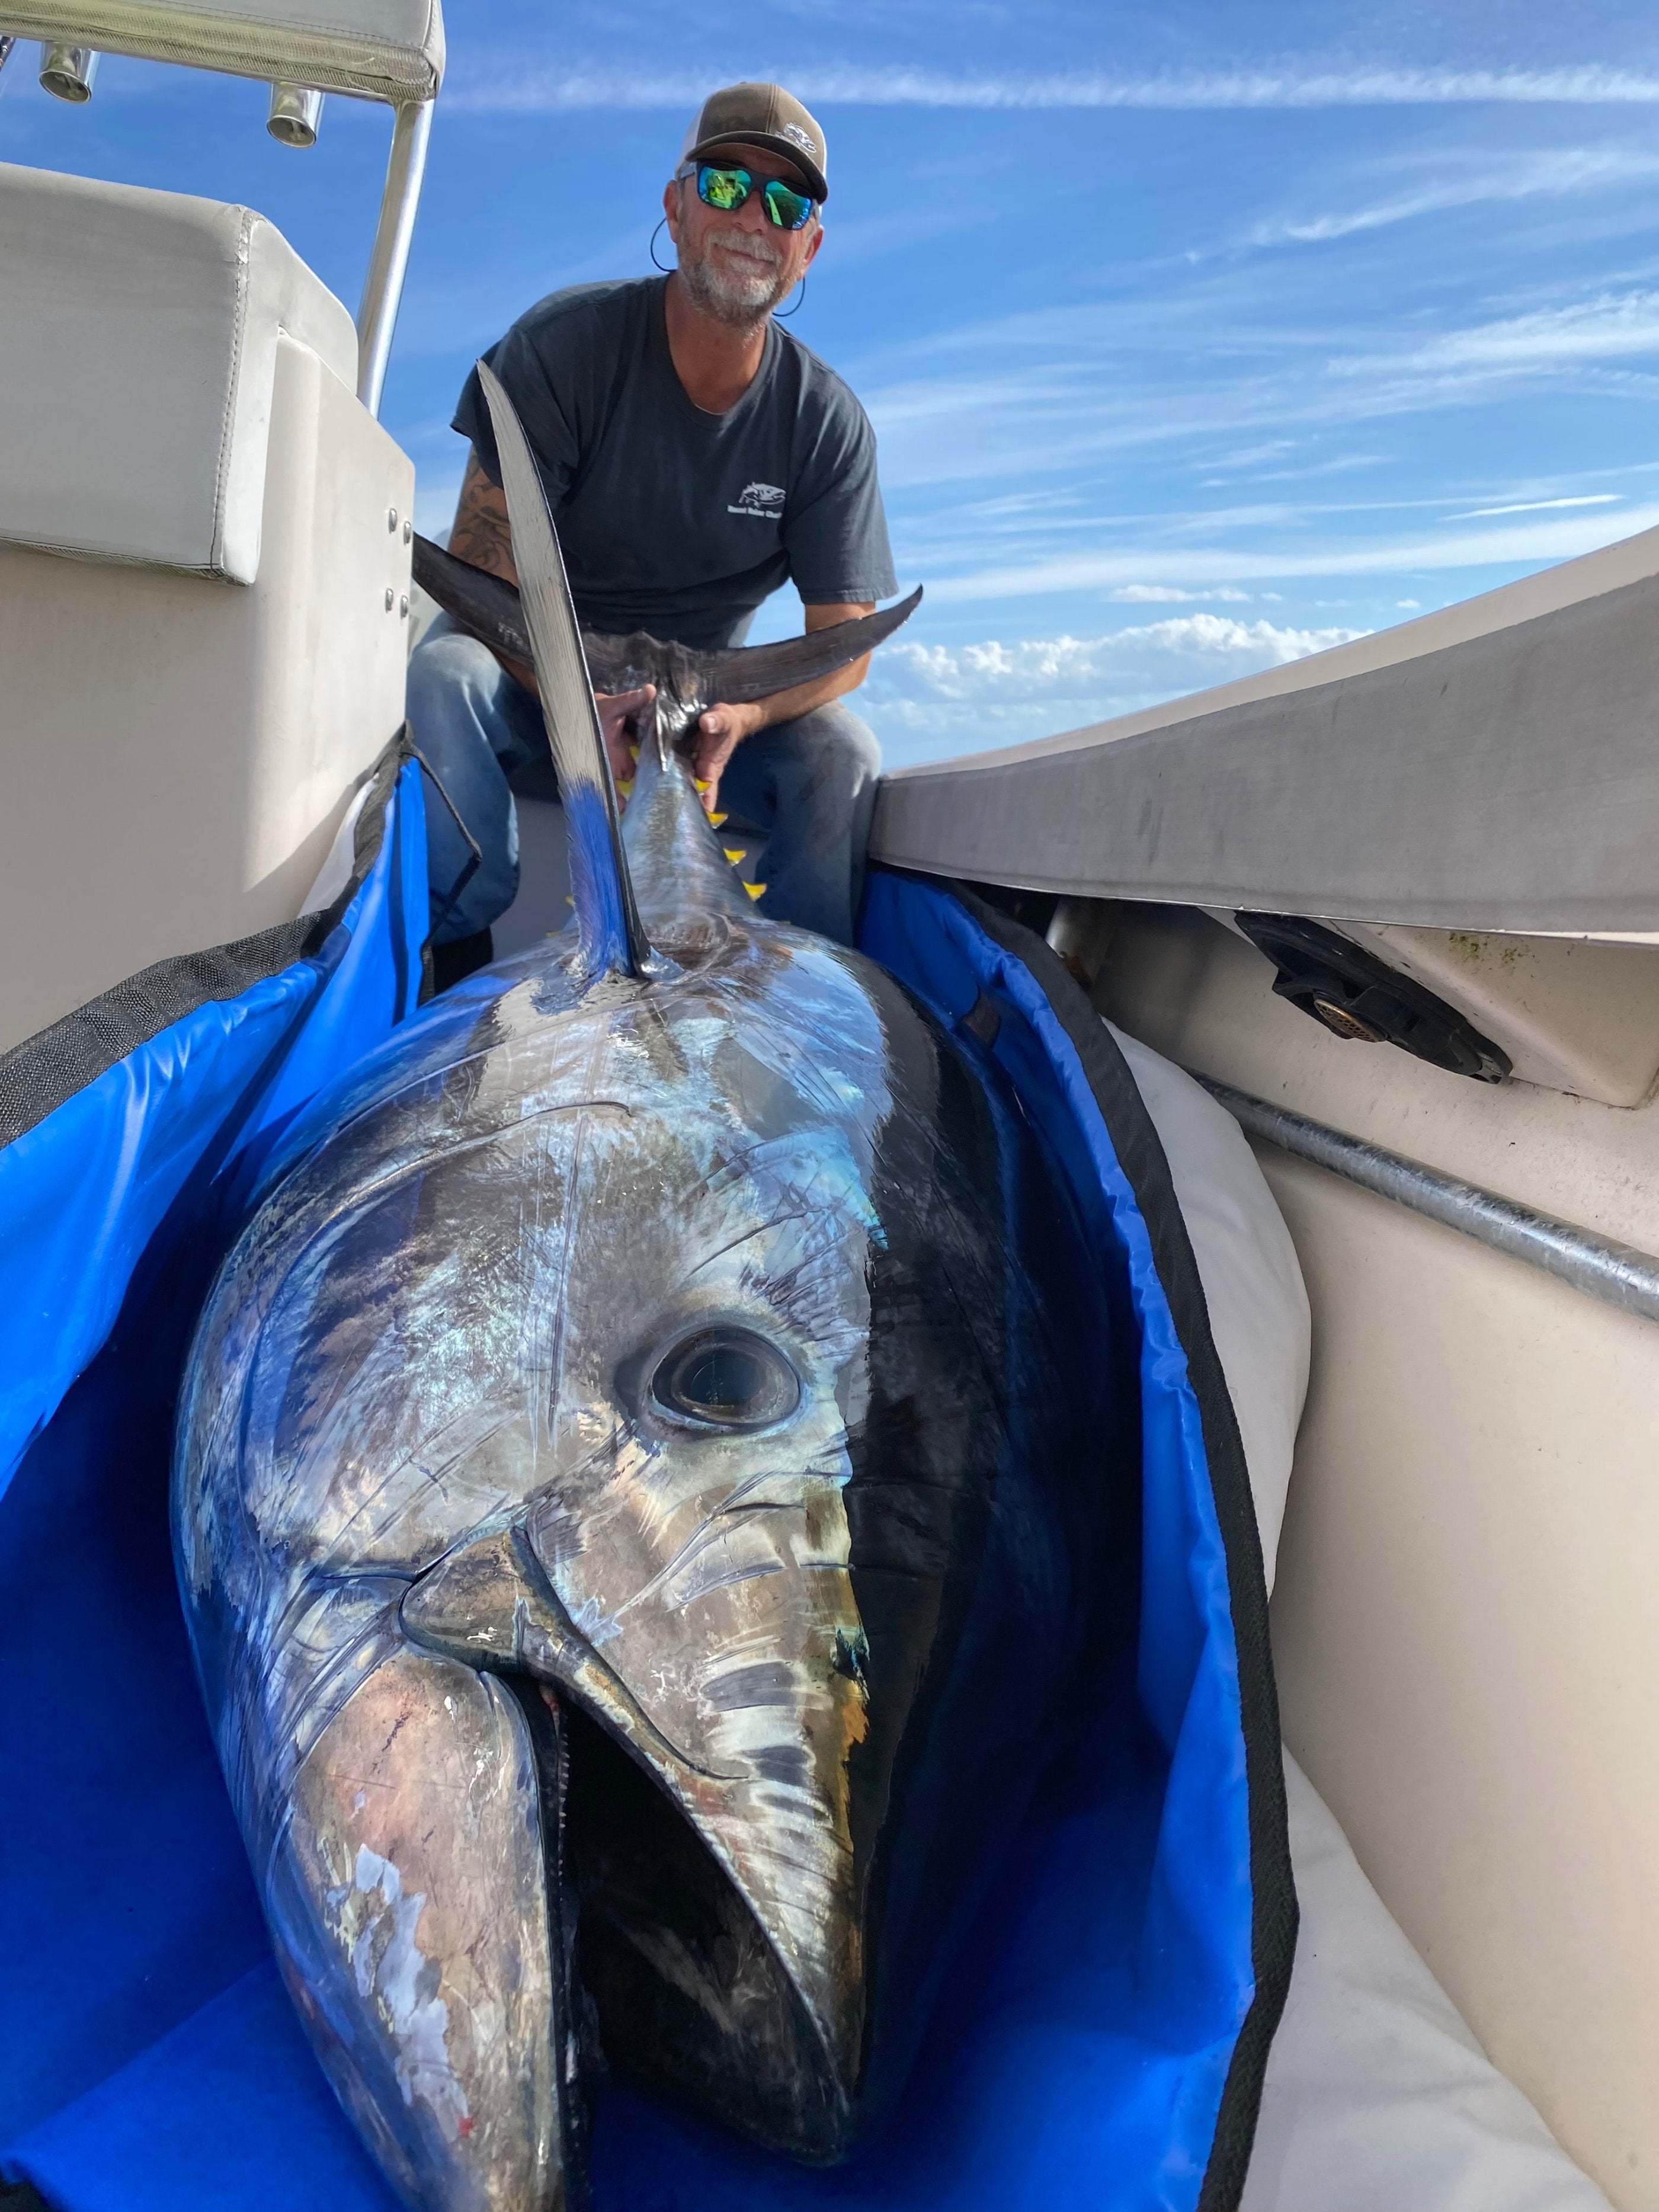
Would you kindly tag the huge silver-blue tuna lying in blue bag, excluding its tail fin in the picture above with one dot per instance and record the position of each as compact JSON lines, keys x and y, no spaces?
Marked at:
{"x":645,"y":1507}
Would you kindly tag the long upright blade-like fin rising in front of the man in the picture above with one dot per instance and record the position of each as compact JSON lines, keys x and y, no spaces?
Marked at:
{"x":607,"y":919}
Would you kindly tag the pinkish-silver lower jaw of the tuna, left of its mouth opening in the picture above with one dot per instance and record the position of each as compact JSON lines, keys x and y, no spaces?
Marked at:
{"x":417,"y":1932}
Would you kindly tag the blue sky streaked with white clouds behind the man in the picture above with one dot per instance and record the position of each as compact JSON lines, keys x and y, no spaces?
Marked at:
{"x":1196,"y":335}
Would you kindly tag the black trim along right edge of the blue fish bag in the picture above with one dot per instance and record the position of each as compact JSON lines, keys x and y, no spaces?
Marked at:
{"x":1273,"y":1890}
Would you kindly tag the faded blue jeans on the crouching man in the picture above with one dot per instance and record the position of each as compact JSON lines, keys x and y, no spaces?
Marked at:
{"x":804,"y":791}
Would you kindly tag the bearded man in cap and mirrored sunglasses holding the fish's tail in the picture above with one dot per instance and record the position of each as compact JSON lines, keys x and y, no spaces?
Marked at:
{"x":696,"y":459}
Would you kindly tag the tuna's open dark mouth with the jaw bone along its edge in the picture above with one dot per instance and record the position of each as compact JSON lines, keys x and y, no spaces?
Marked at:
{"x":680,"y":1974}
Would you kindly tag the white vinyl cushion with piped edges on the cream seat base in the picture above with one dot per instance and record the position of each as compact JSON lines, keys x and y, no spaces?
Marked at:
{"x":138,"y":348}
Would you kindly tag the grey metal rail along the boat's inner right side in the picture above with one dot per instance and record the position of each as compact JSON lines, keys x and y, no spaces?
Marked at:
{"x":1607,"y":1271}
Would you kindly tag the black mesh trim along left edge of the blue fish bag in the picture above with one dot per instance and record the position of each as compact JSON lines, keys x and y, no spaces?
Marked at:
{"x":48,"y":1070}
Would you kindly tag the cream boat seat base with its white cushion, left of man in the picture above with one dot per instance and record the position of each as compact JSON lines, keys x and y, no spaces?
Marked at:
{"x":202,"y":583}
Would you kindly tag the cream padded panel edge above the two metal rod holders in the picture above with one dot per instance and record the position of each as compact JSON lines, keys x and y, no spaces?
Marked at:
{"x":379,"y":50}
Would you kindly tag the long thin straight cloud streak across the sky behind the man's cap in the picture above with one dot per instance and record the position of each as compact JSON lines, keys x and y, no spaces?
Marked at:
{"x":528,"y":85}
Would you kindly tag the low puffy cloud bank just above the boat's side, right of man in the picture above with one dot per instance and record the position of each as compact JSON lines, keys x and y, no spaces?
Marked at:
{"x":1074,"y":667}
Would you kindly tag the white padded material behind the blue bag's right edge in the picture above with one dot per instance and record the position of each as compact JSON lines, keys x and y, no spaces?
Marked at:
{"x":1377,"y":2096}
